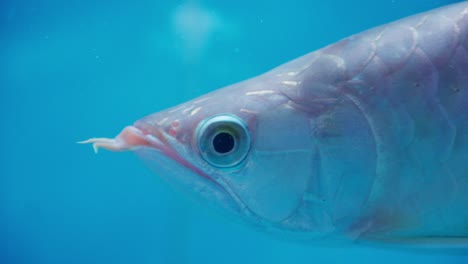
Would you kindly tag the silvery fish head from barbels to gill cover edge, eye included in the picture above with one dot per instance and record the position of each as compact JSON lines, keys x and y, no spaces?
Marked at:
{"x":244,"y":148}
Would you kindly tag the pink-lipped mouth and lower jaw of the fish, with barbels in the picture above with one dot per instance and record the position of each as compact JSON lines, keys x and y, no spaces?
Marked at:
{"x":171,"y":160}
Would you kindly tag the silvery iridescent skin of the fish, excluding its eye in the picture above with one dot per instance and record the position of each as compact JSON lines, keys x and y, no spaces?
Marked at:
{"x":364,"y":139}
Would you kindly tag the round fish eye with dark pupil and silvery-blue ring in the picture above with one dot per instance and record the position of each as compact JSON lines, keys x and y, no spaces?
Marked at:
{"x":222,"y":140}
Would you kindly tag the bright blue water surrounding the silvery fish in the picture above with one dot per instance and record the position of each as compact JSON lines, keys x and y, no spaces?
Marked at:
{"x":70,"y":70}
